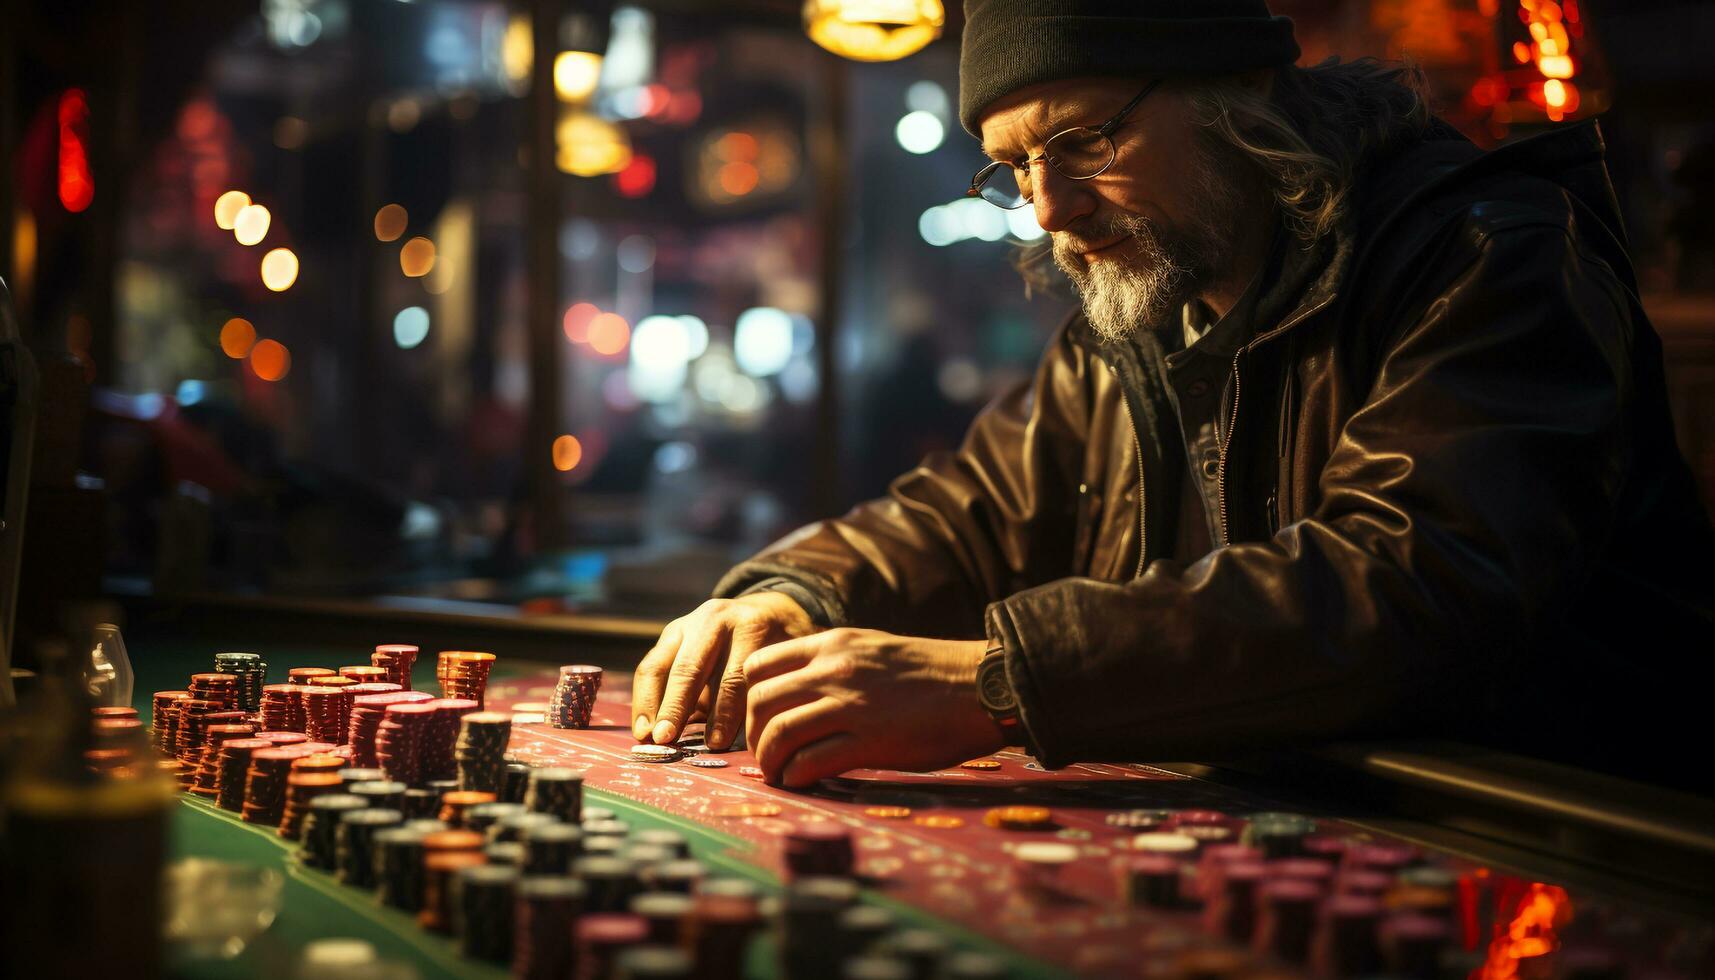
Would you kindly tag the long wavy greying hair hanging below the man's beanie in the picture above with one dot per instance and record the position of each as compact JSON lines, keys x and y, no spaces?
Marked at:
{"x":1306,"y":138}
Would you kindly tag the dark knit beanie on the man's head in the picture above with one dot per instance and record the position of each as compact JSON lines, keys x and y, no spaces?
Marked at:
{"x":1014,"y":44}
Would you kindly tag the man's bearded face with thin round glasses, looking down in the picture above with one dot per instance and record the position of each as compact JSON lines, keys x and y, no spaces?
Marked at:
{"x":1150,"y":233}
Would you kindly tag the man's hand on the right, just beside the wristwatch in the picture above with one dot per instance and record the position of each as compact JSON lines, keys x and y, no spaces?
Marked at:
{"x":850,"y":699}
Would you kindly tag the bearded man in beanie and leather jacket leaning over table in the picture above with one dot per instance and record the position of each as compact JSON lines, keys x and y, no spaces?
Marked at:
{"x":1359,"y":432}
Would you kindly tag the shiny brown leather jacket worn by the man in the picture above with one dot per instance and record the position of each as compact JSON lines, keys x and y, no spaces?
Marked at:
{"x":1450,"y":502}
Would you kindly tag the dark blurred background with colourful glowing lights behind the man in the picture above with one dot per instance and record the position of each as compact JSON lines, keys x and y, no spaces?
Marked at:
{"x":311,"y":324}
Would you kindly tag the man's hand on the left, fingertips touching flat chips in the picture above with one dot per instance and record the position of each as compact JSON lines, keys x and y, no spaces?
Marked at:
{"x":719,"y":634}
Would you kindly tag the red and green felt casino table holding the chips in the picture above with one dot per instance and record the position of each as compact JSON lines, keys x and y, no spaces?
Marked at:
{"x":1076,"y":888}
